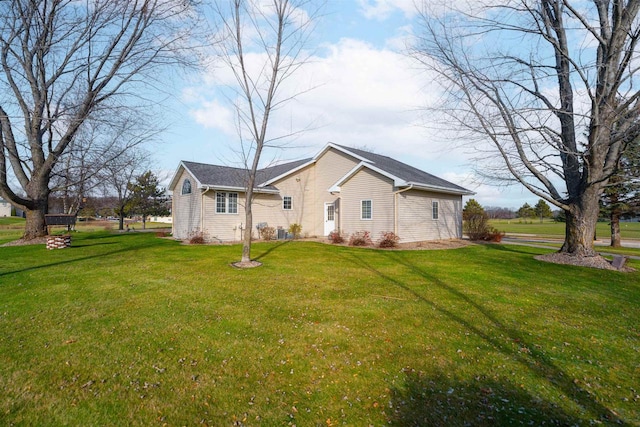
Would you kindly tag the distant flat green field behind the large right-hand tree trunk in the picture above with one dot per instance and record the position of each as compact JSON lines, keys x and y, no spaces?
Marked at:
{"x":628,"y":230}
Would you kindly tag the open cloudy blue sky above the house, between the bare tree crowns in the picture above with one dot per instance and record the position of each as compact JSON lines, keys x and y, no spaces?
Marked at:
{"x":367,"y":93}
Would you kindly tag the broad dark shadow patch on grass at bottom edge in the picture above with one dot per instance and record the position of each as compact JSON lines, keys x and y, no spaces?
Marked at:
{"x":440,"y":400}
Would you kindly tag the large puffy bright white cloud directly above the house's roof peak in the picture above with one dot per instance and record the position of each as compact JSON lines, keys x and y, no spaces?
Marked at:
{"x":366,"y":97}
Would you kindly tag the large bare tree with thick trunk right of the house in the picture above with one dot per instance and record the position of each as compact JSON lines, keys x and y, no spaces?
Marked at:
{"x":551,"y":85}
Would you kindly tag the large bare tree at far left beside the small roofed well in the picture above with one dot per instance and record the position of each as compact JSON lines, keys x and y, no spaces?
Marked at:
{"x":67,"y":62}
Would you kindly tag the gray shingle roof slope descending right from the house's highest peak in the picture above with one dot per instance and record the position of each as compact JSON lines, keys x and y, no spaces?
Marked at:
{"x":404,"y":171}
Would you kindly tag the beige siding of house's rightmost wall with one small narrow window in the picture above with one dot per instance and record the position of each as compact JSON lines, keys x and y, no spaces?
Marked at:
{"x":415,"y":222}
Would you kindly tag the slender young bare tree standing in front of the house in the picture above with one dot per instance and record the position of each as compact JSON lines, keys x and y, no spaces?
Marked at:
{"x":262,"y":43}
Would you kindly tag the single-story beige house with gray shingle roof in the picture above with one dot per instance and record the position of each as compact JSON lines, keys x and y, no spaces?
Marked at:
{"x":340,"y":188}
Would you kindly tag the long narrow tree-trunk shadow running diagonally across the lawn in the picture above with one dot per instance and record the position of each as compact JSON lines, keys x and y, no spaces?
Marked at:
{"x":531,"y":359}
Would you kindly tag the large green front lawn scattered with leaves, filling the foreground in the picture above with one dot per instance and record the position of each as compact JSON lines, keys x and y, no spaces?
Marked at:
{"x":131,"y":329}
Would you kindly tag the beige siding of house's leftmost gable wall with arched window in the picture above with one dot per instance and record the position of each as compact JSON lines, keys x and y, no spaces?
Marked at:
{"x":186,"y":209}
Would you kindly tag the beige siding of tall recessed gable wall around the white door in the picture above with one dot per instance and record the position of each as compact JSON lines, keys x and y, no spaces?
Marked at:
{"x":329,"y":168}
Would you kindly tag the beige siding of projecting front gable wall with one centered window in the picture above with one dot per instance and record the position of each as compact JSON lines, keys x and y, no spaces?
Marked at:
{"x":367,"y":185}
